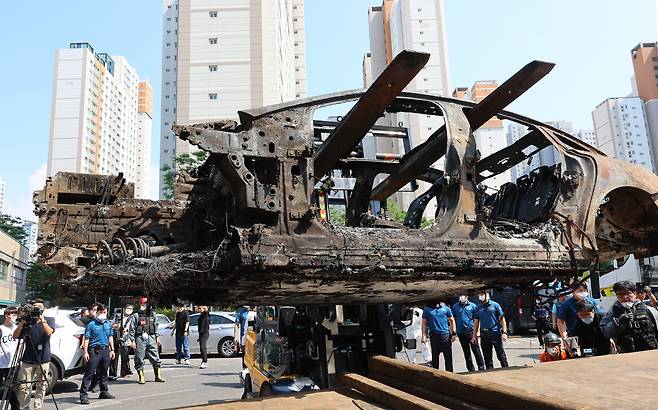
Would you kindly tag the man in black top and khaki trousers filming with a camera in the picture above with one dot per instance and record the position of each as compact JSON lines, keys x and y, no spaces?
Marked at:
{"x":36,"y":334}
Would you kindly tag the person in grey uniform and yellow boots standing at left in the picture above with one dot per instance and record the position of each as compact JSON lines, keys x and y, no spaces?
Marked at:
{"x":145,"y":339}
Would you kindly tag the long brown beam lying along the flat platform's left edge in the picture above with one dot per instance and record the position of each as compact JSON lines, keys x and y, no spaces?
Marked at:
{"x":492,"y":395}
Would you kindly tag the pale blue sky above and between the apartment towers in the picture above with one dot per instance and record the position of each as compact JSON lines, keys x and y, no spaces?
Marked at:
{"x":589,"y":40}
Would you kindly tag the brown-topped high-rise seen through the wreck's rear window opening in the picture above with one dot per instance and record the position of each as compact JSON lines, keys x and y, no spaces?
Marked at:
{"x":491,"y":136}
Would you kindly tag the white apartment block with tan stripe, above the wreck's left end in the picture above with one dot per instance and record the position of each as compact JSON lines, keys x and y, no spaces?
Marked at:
{"x":94,"y":115}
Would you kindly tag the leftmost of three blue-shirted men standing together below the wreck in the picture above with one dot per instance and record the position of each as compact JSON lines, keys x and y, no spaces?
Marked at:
{"x":438,"y":319}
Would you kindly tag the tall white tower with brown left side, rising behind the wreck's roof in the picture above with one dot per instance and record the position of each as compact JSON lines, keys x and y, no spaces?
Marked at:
{"x":417,"y":25}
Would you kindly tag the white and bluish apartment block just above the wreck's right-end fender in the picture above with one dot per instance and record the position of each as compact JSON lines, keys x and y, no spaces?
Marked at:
{"x":621,"y":130}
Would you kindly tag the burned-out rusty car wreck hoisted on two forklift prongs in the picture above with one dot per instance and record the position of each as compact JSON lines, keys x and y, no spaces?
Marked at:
{"x":250,"y":225}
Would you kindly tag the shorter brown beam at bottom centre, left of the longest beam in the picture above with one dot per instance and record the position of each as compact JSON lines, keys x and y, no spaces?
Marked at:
{"x":386,"y":395}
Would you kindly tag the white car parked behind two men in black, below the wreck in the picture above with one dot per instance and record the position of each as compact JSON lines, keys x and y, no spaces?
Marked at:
{"x":221,"y":334}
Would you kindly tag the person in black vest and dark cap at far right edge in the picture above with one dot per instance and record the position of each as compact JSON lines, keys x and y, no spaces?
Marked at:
{"x":630,"y":322}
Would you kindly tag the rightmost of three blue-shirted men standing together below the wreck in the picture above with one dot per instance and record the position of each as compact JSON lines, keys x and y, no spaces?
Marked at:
{"x":490,"y":323}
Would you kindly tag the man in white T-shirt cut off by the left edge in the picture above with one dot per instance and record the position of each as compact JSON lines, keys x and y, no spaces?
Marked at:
{"x":8,"y":347}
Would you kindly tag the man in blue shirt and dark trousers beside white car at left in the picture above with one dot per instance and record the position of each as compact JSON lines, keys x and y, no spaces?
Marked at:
{"x":98,"y":351}
